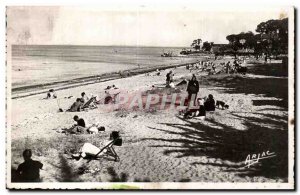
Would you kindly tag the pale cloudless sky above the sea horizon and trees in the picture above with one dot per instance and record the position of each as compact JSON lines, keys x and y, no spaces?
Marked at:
{"x":134,"y":26}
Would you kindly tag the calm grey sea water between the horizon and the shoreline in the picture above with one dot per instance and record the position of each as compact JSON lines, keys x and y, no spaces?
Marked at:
{"x":40,"y":64}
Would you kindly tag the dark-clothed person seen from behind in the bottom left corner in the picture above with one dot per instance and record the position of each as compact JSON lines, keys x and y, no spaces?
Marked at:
{"x":29,"y":170}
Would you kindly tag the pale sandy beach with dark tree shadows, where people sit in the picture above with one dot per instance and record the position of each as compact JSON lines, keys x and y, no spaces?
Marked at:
{"x":159,"y":145}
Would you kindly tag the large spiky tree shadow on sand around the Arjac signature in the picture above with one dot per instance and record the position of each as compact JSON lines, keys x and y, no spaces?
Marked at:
{"x":223,"y":142}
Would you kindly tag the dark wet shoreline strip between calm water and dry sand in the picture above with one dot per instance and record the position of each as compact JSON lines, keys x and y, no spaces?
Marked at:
{"x":26,"y":91}
